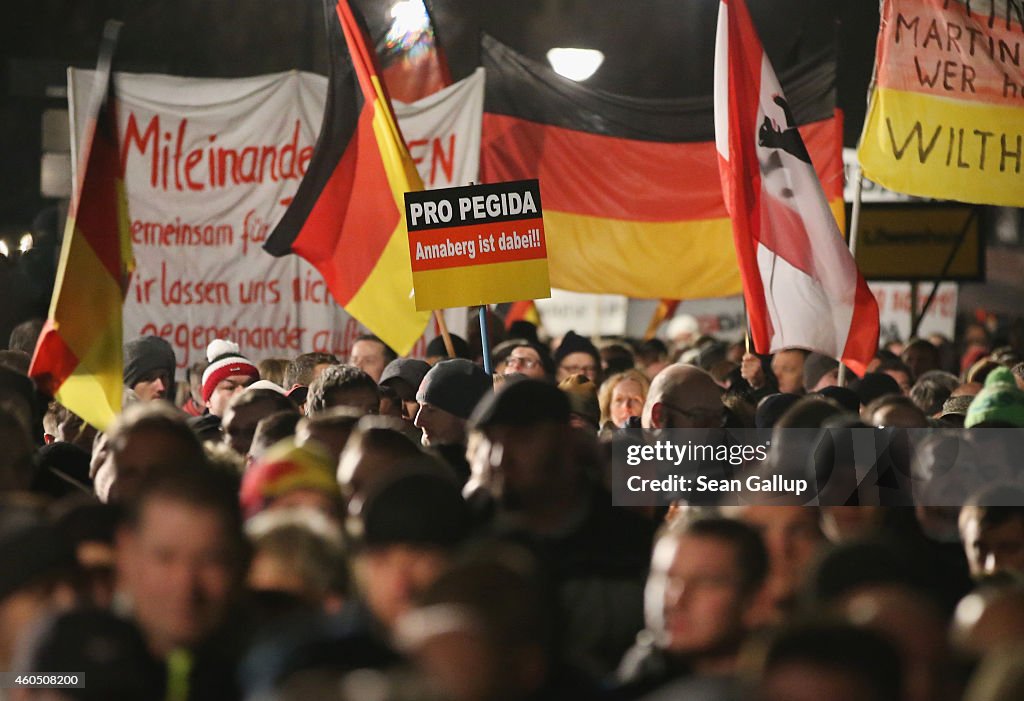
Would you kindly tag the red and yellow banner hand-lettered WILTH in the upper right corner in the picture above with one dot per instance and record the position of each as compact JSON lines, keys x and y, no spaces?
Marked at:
{"x":947,"y":116}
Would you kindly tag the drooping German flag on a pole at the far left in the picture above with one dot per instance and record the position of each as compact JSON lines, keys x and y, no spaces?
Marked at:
{"x":78,"y":359}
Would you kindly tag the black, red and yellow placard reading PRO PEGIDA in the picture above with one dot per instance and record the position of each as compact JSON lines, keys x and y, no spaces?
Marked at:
{"x":478,"y":245}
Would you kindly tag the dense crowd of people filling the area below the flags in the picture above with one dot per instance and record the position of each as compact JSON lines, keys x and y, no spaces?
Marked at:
{"x":380,"y":528}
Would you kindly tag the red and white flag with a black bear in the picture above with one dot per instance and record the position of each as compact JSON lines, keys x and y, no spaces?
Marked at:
{"x":801,"y":284}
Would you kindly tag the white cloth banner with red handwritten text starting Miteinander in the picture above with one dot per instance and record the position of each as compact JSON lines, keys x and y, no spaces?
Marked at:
{"x":211,"y":165}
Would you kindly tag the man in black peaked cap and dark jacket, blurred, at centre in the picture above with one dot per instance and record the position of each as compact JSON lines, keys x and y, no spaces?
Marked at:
{"x":533,"y":465}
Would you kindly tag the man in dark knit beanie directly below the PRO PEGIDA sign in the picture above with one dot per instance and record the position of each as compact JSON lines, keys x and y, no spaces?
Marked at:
{"x":447,"y":397}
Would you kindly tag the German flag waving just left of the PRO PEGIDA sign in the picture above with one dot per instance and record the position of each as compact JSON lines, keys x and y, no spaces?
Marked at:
{"x":348,"y":217}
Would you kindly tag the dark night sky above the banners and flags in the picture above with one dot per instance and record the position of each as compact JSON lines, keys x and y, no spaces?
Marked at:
{"x":654,"y":49}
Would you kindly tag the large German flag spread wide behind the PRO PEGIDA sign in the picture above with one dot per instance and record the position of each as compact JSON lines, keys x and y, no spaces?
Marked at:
{"x":632,"y":197}
